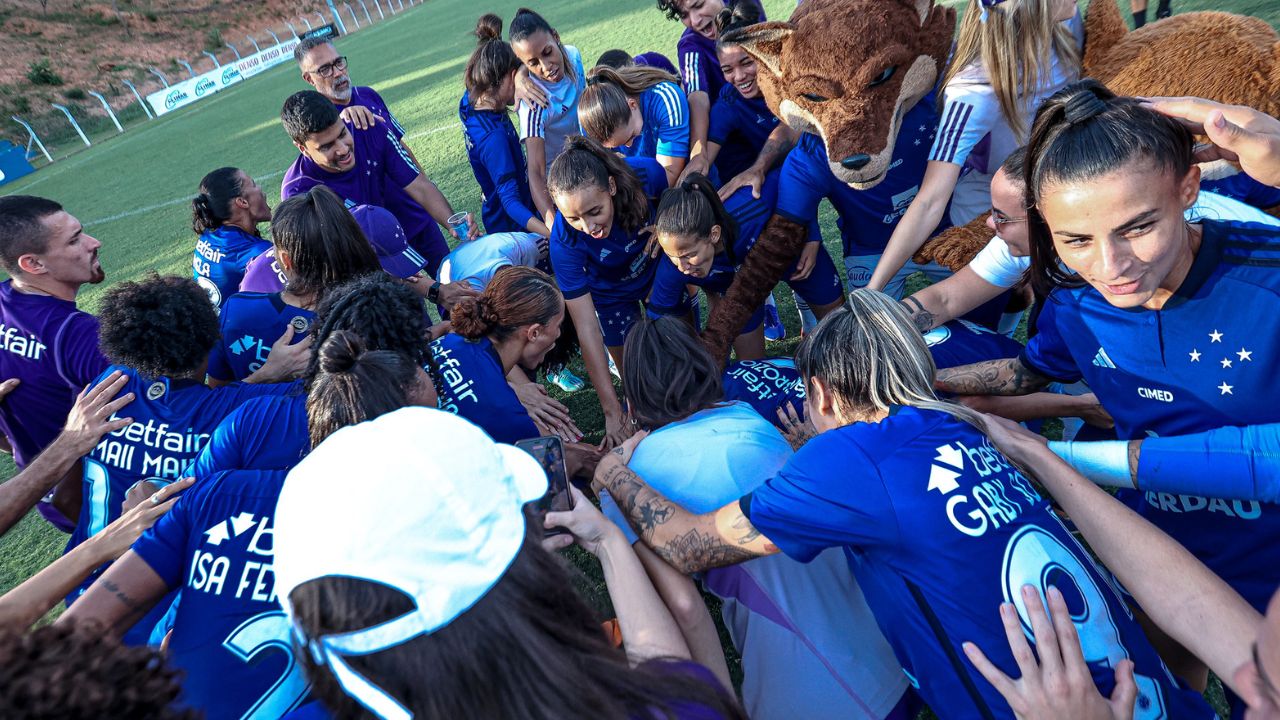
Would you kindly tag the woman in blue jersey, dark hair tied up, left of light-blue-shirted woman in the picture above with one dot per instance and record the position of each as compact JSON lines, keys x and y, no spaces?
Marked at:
{"x":493,"y":148}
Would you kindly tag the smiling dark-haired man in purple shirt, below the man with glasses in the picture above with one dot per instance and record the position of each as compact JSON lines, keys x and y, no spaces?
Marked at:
{"x":369,"y":167}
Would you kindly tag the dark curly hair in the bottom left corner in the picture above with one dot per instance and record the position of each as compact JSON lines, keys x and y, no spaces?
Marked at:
{"x":76,"y":673}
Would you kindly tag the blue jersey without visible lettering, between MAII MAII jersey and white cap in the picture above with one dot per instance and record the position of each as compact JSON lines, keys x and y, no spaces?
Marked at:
{"x":264,"y":434}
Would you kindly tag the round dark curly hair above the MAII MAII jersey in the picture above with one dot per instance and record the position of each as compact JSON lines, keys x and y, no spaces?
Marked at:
{"x":158,"y":326}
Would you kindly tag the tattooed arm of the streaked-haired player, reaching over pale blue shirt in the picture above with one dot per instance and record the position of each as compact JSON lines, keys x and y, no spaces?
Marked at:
{"x":688,"y":543}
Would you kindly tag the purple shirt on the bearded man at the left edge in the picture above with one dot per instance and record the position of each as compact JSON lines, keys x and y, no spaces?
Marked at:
{"x":52,"y":348}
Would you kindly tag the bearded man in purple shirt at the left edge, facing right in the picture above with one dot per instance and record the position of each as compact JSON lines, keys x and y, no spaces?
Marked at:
{"x":47,"y":344}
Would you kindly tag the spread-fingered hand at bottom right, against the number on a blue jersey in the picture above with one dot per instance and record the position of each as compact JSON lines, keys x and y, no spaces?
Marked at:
{"x":1060,"y":685}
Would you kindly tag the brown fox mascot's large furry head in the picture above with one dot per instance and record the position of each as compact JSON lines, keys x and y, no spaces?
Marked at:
{"x":821,"y":75}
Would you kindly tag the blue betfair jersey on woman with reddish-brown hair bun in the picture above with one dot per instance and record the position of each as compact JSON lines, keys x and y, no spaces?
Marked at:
{"x":470,"y":384}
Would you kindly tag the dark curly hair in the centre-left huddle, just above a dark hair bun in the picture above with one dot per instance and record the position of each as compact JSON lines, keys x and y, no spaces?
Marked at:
{"x":382,"y":311}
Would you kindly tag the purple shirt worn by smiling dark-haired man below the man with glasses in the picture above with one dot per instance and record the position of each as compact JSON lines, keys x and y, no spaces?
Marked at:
{"x":382,"y":172}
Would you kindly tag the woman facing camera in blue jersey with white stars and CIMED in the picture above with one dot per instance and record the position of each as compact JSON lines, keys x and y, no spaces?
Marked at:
{"x":1159,"y":316}
